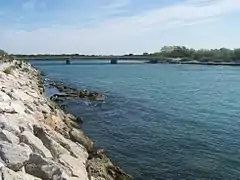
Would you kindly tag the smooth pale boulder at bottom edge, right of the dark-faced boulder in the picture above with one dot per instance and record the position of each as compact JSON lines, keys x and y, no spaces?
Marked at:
{"x":77,"y":167}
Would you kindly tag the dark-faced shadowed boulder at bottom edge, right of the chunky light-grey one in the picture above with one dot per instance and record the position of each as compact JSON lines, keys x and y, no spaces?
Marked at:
{"x":46,"y":169}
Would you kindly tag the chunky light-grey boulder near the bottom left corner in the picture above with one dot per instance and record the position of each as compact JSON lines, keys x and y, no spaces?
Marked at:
{"x":14,"y":155}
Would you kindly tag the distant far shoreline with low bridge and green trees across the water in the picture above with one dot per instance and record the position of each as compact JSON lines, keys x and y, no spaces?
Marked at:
{"x":167,"y":54}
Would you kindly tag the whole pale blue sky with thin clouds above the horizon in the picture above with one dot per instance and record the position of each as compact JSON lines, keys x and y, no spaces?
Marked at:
{"x":116,"y":26}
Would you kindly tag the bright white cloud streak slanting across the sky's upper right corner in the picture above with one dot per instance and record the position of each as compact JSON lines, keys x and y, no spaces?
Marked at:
{"x":186,"y":12}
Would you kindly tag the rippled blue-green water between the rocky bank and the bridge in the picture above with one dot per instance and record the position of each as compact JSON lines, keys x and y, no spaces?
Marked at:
{"x":161,"y":121}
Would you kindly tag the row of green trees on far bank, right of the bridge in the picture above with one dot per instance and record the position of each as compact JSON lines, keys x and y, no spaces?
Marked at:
{"x":222,"y":54}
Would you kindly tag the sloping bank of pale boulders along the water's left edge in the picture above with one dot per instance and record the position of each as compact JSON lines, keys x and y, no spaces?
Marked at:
{"x":38,"y":140}
